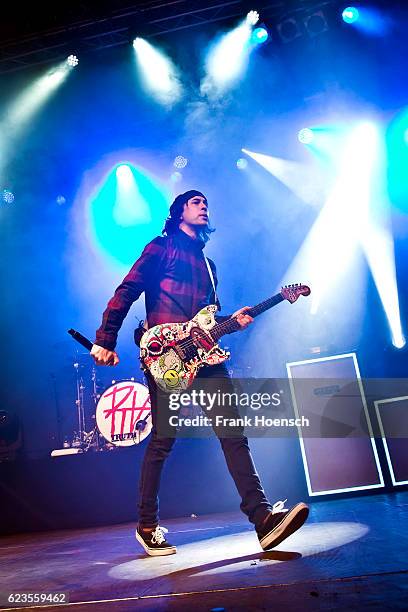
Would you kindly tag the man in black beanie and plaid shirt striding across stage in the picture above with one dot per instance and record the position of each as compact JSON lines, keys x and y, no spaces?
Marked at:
{"x":178,"y":282}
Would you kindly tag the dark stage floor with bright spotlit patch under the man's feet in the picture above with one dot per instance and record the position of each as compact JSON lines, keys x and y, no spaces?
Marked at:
{"x":351,"y":554}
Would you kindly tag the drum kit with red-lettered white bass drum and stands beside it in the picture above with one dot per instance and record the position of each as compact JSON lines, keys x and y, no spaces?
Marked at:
{"x":108,"y":416}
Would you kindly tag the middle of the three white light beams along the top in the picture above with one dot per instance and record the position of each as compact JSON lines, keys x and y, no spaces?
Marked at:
{"x":160,"y":75}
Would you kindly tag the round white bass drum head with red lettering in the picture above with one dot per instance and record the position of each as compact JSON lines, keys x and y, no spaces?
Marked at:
{"x":123,"y":415}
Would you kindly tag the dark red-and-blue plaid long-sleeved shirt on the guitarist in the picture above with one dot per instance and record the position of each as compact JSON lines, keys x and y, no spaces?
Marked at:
{"x":173,"y":274}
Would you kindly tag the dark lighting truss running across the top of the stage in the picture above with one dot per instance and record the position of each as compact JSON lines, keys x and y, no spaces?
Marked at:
{"x":149,"y":19}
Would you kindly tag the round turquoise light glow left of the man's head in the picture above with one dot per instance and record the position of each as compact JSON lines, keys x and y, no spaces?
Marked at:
{"x":117,"y":218}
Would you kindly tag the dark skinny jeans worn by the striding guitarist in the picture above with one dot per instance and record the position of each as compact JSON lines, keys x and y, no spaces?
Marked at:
{"x":236,"y":451}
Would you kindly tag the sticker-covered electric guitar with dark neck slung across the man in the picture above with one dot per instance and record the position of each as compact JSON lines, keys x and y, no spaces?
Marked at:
{"x":173,"y":353}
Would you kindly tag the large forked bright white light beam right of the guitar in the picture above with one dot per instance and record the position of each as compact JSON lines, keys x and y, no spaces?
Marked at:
{"x":354,"y":215}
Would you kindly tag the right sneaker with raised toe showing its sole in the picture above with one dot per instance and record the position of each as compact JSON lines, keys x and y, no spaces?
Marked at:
{"x":281,"y":523}
